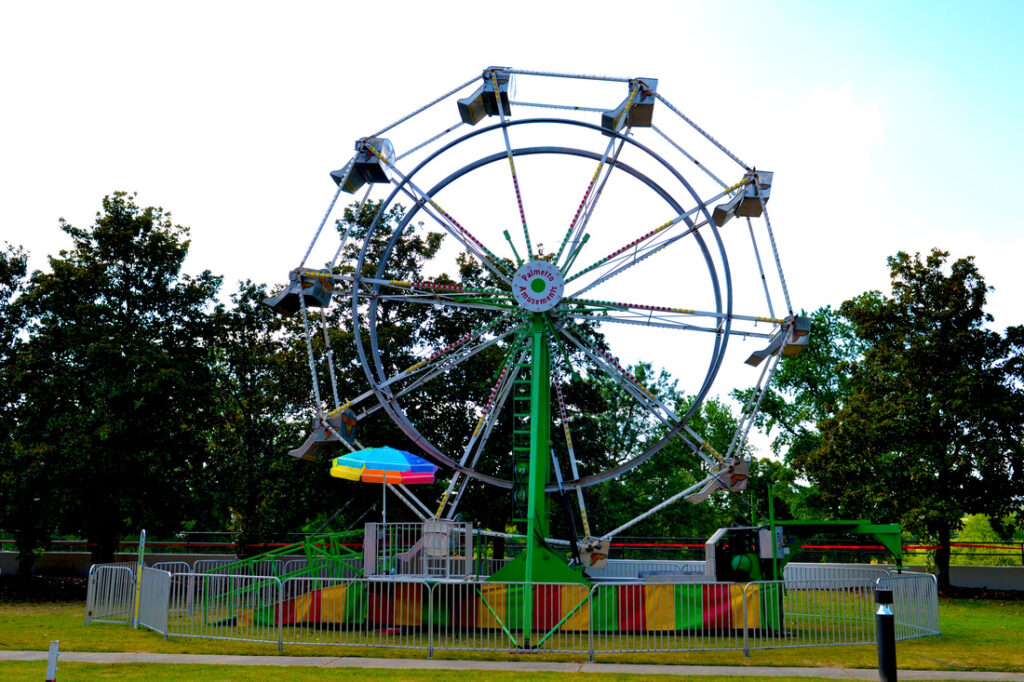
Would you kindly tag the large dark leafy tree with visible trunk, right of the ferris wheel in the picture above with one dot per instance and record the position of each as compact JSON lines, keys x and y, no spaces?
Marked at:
{"x":931,"y":429}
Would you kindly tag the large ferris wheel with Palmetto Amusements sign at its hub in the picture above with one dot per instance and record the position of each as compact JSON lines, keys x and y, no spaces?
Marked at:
{"x":588,"y":226}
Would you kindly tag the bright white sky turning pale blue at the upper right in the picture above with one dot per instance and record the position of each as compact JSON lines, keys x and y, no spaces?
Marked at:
{"x":890,"y":126}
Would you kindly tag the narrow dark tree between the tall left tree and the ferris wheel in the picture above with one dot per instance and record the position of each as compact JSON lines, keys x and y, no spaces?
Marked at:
{"x":261,"y":493}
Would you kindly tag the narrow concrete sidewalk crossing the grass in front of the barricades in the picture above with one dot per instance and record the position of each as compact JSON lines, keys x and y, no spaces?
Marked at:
{"x":501,"y":666}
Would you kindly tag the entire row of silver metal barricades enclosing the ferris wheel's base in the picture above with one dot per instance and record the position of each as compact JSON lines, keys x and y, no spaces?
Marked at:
{"x":429,"y":615}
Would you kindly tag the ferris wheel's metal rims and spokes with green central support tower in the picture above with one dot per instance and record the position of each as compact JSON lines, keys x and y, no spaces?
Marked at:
{"x":693,"y":222}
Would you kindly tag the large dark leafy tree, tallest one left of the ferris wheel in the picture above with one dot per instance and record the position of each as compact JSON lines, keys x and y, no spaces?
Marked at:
{"x":115,"y":389}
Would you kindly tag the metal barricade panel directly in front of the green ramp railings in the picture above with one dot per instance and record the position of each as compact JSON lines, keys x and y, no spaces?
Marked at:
{"x":217,"y":607}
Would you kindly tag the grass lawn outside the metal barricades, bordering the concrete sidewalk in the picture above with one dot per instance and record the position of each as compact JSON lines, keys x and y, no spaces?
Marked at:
{"x":977,"y":635}
